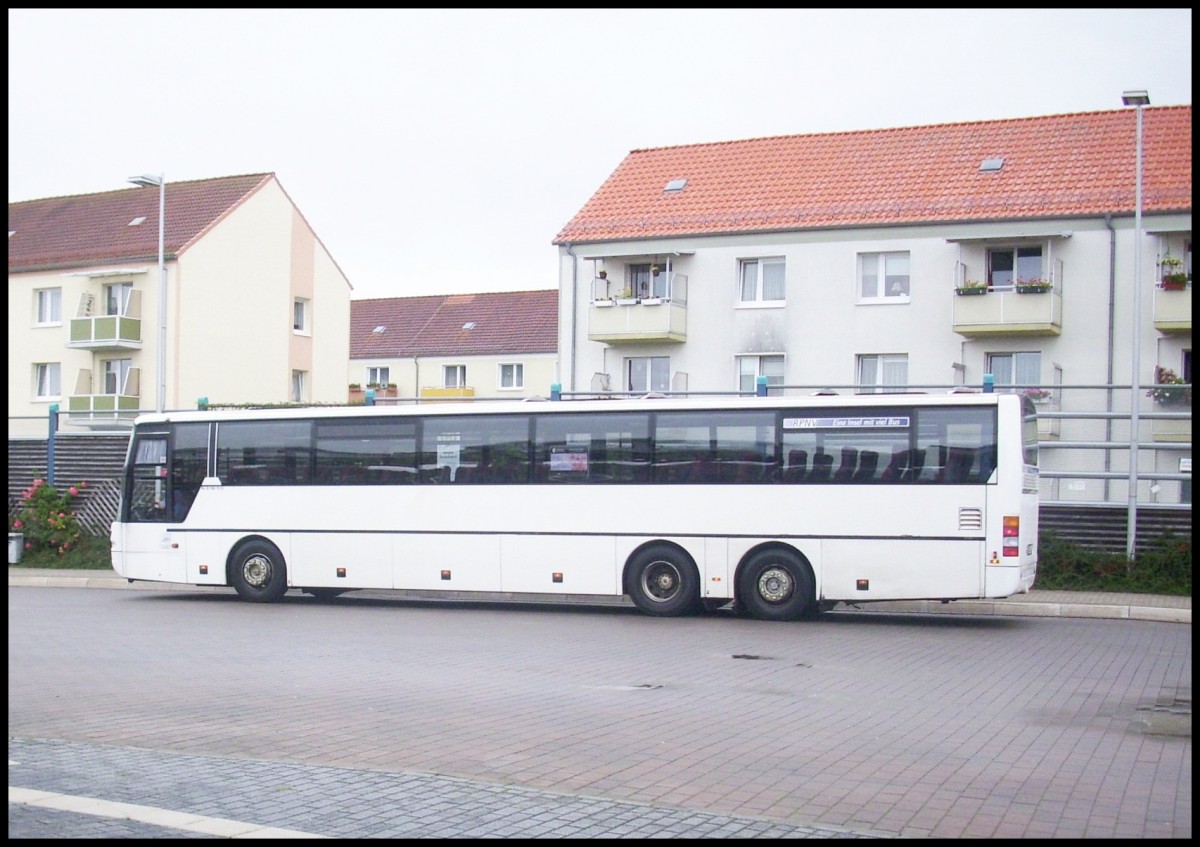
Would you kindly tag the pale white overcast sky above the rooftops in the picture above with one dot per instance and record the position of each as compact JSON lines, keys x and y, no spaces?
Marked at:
{"x":441,"y":151}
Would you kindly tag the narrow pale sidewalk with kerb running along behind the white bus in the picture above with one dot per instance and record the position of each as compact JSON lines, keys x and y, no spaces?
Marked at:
{"x":1161,"y":608}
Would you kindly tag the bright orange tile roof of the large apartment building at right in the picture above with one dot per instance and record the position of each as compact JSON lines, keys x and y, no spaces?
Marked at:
{"x":1060,"y":166}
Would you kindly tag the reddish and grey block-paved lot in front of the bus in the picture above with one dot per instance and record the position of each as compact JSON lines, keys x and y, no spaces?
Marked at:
{"x":382,"y":717}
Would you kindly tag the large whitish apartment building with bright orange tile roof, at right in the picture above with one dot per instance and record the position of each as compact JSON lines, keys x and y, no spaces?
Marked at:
{"x":916,"y":259}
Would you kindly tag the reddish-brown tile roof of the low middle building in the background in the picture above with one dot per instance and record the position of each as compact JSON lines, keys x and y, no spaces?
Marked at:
{"x":505,"y":323}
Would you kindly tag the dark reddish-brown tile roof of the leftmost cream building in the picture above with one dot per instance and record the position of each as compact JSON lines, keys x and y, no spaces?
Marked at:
{"x":94,"y":230}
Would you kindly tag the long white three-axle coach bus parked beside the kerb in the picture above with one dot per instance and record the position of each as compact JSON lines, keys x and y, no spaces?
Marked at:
{"x":784,"y":507}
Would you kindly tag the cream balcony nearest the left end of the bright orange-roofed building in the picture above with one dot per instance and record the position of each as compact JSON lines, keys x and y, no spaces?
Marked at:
{"x":657,"y":316}
